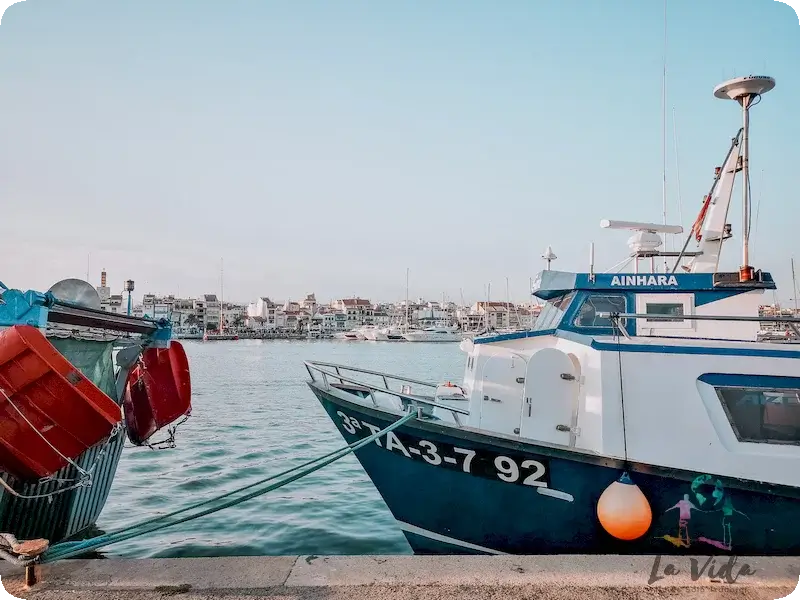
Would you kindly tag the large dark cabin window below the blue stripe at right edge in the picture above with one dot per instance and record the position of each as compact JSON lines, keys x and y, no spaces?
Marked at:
{"x":770,"y":416}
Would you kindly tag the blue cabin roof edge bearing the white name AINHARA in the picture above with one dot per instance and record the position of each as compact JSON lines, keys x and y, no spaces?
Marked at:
{"x":552,"y":284}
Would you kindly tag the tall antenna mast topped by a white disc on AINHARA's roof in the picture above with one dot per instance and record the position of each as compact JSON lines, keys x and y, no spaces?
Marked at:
{"x":747,"y":92}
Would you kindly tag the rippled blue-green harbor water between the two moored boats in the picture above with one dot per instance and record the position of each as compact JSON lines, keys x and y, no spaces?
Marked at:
{"x":254,"y":415}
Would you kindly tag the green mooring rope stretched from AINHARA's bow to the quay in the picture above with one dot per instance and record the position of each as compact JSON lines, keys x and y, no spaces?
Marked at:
{"x":70,"y":549}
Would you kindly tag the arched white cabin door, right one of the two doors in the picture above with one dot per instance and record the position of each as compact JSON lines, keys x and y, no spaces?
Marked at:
{"x":550,"y":403}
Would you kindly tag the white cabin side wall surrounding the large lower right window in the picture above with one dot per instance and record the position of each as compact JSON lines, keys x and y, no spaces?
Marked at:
{"x":670,"y":423}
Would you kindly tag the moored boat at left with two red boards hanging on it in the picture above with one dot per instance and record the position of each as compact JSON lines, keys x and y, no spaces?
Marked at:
{"x":74,"y":379}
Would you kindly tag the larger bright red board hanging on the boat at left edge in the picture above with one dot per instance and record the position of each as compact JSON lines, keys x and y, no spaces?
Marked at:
{"x":48,"y":409}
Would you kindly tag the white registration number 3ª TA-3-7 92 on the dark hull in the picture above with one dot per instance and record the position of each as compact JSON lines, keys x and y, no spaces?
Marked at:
{"x":483,"y":463}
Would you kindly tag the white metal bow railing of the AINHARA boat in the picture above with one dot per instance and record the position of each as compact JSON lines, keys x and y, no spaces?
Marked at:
{"x":333,"y":370}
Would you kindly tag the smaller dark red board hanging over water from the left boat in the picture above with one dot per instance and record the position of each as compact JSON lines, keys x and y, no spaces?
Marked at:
{"x":158,"y":392}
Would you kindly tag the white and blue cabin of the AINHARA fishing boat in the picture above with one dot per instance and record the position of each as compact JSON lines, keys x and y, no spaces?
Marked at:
{"x":586,"y":379}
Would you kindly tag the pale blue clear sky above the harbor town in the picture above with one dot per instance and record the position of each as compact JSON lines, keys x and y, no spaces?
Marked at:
{"x":327,"y":147}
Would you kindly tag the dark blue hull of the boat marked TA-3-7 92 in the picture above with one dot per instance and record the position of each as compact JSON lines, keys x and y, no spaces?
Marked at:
{"x":459,"y":491}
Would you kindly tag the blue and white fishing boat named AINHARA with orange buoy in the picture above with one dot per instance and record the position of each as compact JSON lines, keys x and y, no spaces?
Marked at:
{"x":639,"y":415}
